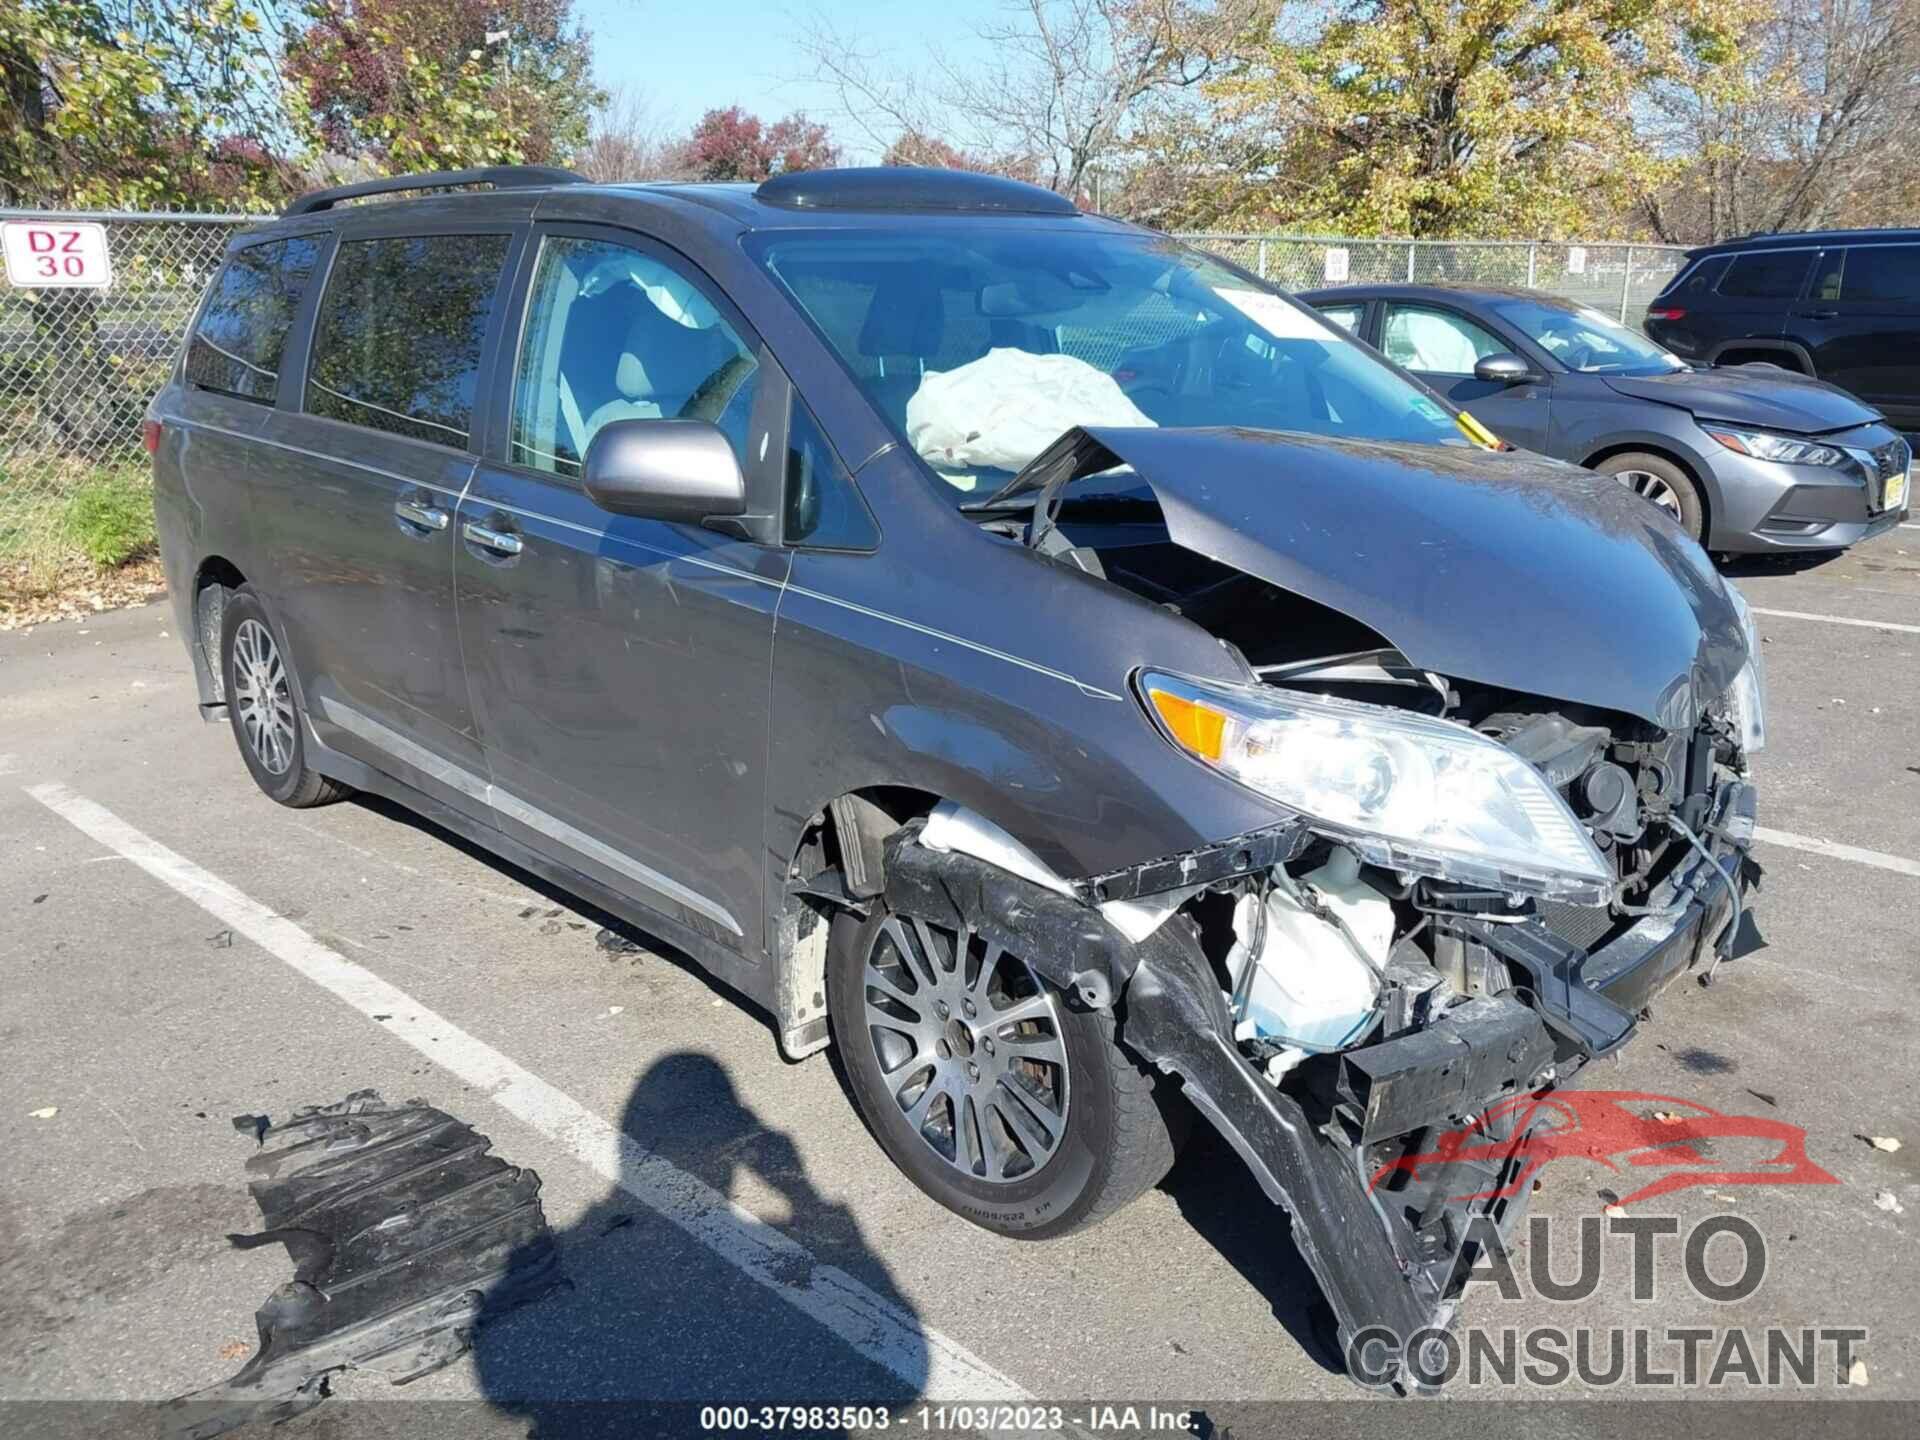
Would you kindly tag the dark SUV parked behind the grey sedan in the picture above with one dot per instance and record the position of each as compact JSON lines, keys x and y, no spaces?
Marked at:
{"x":1842,"y":306}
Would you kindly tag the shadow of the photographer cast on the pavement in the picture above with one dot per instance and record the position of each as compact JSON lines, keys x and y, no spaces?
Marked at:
{"x":656,"y":1326}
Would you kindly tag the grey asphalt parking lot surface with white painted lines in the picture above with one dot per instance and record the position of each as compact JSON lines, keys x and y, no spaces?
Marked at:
{"x":176,"y":951}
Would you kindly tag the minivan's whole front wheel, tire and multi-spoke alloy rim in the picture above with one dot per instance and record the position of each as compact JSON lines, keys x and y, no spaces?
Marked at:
{"x":984,"y":1086}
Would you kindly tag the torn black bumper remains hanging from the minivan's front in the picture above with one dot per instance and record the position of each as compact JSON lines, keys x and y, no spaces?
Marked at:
{"x":1385,"y":1259}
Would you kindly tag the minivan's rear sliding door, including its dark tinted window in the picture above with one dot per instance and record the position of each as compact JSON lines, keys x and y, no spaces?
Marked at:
{"x":356,"y":506}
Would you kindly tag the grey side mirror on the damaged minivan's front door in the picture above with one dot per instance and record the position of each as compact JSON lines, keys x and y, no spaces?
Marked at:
{"x":665,"y":471}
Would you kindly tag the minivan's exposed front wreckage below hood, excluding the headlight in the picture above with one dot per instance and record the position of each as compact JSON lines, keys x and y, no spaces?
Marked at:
{"x":1335,"y":1019}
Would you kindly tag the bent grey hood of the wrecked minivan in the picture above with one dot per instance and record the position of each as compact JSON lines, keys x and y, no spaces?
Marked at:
{"x":1504,"y":569}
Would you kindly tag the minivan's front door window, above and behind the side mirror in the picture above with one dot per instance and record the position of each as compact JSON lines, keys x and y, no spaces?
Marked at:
{"x":619,"y":335}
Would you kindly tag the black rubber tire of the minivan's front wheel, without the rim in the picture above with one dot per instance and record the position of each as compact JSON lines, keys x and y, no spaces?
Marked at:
{"x":1116,"y":1141}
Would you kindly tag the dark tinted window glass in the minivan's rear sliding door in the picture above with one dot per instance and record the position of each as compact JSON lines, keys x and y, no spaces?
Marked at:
{"x":400,"y":333}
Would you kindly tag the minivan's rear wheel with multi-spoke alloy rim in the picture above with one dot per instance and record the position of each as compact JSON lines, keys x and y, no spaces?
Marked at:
{"x":264,"y":709}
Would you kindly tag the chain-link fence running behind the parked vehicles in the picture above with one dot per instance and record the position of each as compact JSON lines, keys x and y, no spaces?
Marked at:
{"x":80,"y":366}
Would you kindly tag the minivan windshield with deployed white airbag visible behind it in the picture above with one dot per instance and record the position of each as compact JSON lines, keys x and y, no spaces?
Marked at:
{"x":982,"y":348}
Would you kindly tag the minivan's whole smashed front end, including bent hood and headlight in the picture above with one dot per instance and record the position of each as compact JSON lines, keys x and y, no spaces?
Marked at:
{"x":1502,"y":713}
